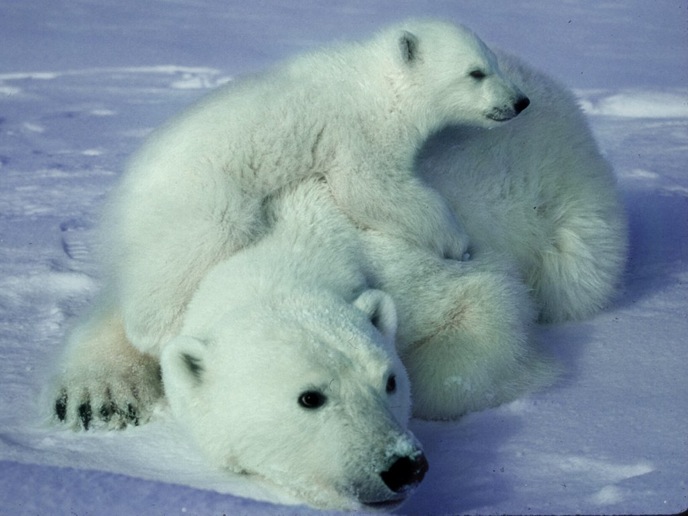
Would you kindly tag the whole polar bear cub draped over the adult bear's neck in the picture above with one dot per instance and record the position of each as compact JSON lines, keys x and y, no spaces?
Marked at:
{"x":356,"y":114}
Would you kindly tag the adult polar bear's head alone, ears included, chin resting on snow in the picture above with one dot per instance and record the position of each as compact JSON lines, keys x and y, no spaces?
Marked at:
{"x":305,"y":392}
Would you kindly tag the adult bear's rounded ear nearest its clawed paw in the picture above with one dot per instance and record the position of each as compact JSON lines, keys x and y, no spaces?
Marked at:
{"x":183,"y":364}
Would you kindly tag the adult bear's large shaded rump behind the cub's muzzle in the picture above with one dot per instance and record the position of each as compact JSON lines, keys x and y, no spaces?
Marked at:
{"x":538,"y":190}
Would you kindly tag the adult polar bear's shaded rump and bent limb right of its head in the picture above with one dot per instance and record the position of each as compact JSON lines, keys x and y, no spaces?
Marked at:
{"x":541,"y":207}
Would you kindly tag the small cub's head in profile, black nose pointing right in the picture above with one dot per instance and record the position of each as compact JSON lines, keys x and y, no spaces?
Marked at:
{"x":445,"y":75}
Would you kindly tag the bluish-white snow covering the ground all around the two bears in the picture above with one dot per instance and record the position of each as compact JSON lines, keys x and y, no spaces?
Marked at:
{"x":81,"y":82}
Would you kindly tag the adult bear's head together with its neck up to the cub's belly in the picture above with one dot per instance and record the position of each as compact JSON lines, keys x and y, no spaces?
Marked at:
{"x":286,"y":368}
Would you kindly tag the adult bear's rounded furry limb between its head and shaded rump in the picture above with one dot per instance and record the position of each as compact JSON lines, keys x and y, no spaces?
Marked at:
{"x":464,"y":329}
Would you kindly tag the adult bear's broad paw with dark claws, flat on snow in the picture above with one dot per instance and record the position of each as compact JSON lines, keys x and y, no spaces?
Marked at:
{"x":108,"y":397}
